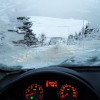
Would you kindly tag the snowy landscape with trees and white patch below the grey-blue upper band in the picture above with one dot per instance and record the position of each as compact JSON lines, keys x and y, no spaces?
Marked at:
{"x":34,"y":42}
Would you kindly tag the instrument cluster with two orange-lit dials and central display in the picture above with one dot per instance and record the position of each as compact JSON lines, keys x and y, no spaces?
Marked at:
{"x":51,"y":88}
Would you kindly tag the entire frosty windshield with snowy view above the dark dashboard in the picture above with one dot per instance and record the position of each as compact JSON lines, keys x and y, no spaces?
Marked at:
{"x":40,"y":33}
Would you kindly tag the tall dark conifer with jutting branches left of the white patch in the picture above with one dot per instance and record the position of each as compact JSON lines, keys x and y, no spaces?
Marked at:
{"x":29,"y":37}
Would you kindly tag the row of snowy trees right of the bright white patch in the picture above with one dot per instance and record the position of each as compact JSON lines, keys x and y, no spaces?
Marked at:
{"x":87,"y":33}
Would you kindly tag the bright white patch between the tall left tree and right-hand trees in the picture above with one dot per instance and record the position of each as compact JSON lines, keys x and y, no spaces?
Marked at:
{"x":56,"y":27}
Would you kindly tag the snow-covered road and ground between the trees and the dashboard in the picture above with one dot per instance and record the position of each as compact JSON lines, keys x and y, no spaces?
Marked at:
{"x":51,"y":55}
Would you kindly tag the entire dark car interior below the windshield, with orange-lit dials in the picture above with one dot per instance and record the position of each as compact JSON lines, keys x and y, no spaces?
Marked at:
{"x":52,"y":83}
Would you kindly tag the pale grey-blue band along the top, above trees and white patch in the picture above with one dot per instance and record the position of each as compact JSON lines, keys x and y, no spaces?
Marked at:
{"x":79,"y":9}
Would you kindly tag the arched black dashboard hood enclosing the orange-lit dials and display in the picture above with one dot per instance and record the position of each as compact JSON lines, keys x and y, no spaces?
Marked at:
{"x":51,"y":83}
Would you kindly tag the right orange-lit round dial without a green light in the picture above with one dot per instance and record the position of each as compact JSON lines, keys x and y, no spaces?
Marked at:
{"x":67,"y":92}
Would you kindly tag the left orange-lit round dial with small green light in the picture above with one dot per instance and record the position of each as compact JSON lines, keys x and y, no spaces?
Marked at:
{"x":34,"y":92}
